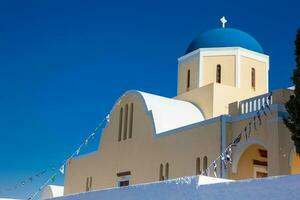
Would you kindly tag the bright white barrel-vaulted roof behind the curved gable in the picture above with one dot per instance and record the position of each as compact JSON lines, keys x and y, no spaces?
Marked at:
{"x":169,"y":114}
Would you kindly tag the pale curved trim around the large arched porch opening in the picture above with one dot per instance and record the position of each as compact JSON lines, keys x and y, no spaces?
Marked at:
{"x":240,"y":149}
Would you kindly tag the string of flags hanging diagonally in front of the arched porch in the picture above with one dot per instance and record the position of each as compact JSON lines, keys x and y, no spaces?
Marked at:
{"x":226,"y":155}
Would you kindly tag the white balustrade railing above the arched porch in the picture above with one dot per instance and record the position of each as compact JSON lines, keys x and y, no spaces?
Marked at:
{"x":255,"y":103}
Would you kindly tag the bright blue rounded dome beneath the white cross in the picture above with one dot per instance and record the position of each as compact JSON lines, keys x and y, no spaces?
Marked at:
{"x":225,"y":37}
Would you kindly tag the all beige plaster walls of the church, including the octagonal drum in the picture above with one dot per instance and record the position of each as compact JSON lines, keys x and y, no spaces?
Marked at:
{"x":144,"y":152}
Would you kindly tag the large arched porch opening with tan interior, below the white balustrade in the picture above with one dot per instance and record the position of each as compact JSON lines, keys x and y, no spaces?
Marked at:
{"x":252,"y":163}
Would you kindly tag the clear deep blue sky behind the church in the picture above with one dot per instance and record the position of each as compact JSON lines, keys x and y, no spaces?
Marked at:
{"x":63,"y":64}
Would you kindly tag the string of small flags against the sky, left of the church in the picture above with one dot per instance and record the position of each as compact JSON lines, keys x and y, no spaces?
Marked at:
{"x":61,"y":169}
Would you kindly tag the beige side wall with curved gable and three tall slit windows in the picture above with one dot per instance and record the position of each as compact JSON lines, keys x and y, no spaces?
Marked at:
{"x":143,"y":153}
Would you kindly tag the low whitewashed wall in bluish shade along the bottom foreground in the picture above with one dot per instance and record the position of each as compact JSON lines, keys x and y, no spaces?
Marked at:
{"x":199,"y":188}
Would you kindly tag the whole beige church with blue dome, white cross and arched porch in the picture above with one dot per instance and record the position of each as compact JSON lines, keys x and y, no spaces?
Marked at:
{"x":222,"y":95}
